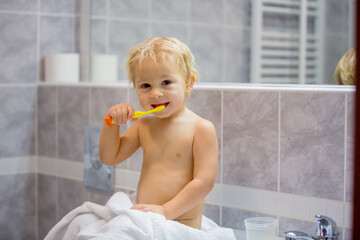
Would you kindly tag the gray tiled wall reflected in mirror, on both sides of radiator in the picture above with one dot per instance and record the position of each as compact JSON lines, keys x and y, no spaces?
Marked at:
{"x":224,"y":26}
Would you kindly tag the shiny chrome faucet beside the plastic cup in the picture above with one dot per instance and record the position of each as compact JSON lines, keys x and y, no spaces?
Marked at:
{"x":326,"y":230}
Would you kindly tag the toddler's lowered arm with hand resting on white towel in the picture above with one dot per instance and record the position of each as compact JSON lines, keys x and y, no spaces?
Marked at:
{"x":205,"y":150}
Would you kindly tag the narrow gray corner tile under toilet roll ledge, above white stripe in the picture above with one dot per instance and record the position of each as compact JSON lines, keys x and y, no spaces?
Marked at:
{"x":46,"y":121}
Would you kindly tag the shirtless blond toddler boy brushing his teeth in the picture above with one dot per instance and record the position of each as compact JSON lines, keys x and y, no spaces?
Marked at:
{"x":180,"y":148}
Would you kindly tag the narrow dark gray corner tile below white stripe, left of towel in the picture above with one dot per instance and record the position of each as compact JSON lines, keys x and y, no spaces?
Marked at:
{"x":47,"y":186}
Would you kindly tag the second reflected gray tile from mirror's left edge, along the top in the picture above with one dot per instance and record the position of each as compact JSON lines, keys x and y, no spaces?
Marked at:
{"x":129,"y":9}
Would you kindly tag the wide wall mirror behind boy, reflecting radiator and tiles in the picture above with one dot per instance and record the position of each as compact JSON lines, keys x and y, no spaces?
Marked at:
{"x":233,"y":41}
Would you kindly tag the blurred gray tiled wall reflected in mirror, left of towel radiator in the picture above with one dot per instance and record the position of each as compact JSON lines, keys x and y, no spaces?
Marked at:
{"x":222,"y":26}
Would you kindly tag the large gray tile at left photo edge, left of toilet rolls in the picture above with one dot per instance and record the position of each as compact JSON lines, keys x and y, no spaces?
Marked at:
{"x":17,"y":66}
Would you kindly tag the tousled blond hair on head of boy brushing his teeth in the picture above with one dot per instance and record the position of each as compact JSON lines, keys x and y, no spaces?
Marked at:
{"x":156,"y":49}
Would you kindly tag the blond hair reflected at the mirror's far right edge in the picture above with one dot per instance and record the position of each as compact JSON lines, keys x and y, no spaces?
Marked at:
{"x":345,"y":69}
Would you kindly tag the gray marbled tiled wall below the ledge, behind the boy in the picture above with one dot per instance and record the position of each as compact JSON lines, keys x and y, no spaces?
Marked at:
{"x":283,"y":153}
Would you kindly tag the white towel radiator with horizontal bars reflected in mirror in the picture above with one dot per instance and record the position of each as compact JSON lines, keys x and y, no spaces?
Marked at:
{"x":292,"y":53}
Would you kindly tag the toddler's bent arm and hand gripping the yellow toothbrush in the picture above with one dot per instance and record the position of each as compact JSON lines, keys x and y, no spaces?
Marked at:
{"x":113,"y":148}
